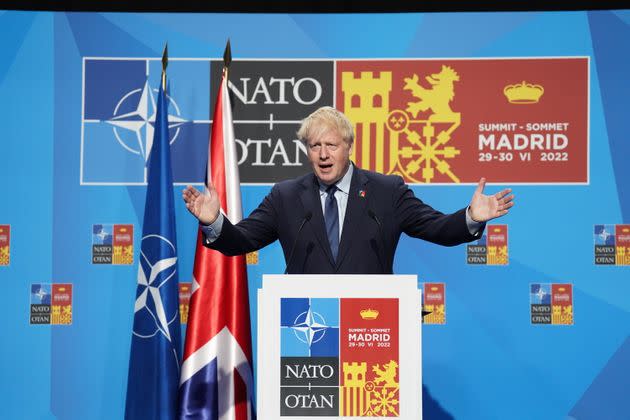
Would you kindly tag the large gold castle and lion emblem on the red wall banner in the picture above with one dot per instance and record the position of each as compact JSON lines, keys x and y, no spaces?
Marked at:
{"x":424,"y":128}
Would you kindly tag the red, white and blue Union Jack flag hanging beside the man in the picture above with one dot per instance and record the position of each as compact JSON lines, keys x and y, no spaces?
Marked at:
{"x":217,"y":377}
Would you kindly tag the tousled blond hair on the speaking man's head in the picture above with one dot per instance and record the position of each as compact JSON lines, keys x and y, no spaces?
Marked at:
{"x":323,"y":120}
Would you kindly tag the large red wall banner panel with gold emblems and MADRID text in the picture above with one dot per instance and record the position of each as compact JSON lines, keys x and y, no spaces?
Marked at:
{"x":442,"y":121}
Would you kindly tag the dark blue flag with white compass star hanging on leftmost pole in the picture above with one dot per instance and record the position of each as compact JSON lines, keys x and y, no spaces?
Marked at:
{"x":154,"y":362}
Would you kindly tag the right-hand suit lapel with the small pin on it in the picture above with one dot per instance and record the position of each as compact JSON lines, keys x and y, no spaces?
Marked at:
{"x":357,"y":203}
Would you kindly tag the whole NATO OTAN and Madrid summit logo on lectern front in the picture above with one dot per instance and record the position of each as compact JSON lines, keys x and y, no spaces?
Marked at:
{"x":339,"y":357}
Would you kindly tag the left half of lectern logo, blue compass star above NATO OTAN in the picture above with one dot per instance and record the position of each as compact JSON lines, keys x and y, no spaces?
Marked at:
{"x":309,"y":335}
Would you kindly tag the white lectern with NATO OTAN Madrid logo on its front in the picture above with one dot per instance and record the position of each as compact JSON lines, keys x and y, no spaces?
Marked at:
{"x":339,"y":347}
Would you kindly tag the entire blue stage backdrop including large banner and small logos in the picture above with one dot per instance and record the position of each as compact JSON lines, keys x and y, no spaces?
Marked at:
{"x":532,"y":322}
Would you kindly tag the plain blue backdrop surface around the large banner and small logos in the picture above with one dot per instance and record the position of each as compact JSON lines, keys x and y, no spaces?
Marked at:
{"x":487,"y":362}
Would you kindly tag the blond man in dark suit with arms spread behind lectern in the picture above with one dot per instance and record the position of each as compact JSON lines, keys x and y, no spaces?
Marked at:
{"x":340,"y":219}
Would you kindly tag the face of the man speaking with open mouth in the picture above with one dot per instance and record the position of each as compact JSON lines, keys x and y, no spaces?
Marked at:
{"x":330,"y":156}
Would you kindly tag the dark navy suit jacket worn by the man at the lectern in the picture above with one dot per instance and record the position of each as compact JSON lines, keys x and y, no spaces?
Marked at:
{"x":380,"y":208}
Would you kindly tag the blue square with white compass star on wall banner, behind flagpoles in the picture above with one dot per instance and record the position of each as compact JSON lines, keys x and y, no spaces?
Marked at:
{"x":119,"y":112}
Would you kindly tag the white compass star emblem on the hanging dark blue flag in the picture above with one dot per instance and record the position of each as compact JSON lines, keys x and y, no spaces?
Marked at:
{"x":153,"y":276}
